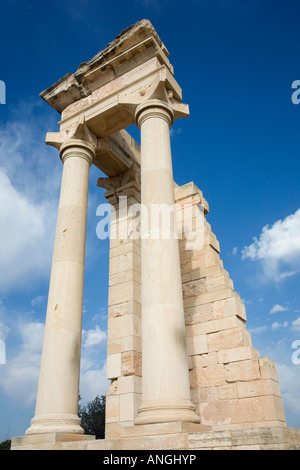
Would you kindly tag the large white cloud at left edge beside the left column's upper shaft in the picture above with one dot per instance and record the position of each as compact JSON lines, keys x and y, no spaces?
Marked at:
{"x":26,"y":236}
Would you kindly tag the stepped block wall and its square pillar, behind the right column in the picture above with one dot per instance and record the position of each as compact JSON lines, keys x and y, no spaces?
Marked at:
{"x":231,"y":385}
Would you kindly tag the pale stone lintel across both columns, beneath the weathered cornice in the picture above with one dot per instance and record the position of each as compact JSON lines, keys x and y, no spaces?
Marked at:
{"x":111,"y":107}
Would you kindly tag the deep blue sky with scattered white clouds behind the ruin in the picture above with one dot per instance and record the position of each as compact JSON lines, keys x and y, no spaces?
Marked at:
{"x":236,"y":61}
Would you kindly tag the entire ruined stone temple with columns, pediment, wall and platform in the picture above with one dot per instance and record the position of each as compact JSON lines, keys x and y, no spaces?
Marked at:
{"x":183,"y":372}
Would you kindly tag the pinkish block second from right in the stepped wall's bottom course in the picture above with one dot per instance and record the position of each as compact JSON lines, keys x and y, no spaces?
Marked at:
{"x":247,"y":410}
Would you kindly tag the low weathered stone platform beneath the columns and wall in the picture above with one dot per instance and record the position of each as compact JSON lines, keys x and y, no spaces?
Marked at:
{"x":247,"y":438}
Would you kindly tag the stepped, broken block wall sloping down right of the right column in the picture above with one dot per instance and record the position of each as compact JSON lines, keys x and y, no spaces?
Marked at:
{"x":231,"y":385}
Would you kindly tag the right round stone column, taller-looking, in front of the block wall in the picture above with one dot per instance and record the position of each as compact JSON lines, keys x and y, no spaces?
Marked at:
{"x":165,"y":382}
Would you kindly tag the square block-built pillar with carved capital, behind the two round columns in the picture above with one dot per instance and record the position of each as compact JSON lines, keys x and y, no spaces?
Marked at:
{"x":124,"y":360}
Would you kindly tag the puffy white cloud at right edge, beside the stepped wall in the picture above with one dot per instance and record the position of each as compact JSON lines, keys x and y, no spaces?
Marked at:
{"x":277,"y":248}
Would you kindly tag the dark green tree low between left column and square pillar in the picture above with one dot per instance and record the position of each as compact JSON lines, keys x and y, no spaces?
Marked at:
{"x":93,"y":417}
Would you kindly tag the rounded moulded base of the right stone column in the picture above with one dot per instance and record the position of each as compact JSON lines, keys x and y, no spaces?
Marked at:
{"x":158,"y":411}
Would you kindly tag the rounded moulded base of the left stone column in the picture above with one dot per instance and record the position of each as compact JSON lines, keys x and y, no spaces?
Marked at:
{"x":55,"y":423}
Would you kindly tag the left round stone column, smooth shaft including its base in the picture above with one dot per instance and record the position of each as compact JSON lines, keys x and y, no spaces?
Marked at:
{"x":58,"y":391}
